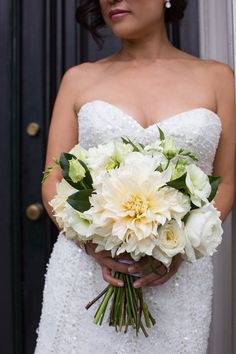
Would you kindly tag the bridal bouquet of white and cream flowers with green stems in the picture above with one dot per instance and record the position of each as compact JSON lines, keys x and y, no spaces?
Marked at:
{"x":151,"y":201}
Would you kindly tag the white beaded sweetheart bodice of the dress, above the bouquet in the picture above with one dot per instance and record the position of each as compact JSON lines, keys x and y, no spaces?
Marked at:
{"x":197,"y":130}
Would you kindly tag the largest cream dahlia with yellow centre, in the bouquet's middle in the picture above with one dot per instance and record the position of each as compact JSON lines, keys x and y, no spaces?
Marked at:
{"x":130,"y":206}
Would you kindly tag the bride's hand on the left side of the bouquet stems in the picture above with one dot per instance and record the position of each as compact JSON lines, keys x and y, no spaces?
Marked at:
{"x":108,"y":263}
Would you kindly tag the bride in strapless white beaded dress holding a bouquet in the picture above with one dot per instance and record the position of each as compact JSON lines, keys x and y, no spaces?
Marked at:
{"x":147,"y":81}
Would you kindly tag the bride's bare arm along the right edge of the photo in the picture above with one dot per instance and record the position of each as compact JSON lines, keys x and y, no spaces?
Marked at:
{"x":224,"y":164}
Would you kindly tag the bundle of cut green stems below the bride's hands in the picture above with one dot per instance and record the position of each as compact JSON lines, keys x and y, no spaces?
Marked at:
{"x":127,"y":306}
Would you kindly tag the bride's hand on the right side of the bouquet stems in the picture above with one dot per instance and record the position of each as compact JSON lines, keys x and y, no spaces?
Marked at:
{"x":152,"y":279}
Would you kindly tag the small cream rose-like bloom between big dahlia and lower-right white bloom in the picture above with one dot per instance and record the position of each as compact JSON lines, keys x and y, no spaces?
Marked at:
{"x":172,"y":241}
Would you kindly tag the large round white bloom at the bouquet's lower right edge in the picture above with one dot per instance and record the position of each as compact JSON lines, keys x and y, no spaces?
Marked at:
{"x":203,"y":231}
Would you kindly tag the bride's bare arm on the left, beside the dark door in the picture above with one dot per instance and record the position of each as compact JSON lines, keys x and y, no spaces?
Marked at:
{"x":63,"y":133}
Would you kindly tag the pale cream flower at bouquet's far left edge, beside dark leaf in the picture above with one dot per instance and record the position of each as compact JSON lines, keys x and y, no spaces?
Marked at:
{"x":58,"y":203}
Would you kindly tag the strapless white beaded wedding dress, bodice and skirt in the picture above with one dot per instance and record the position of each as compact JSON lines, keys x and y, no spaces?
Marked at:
{"x":181,"y":306}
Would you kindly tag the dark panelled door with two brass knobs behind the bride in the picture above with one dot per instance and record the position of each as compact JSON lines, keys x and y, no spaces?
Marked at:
{"x":39,"y":42}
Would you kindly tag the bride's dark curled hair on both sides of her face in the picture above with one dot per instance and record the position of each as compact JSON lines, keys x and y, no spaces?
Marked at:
{"x":89,"y":15}
